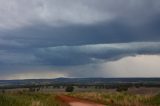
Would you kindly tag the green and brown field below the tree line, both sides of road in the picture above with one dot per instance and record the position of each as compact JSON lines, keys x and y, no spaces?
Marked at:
{"x":132,"y":97}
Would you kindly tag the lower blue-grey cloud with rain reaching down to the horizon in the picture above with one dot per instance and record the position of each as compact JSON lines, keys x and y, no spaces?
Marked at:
{"x":72,"y":60}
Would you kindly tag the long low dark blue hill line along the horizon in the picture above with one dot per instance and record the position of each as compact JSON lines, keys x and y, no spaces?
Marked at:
{"x":78,"y":81}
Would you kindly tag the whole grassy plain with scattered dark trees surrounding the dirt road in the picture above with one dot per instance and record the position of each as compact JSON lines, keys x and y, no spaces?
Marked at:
{"x":110,"y":95}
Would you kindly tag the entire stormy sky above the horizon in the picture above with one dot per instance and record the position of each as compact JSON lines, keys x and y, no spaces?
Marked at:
{"x":79,"y":38}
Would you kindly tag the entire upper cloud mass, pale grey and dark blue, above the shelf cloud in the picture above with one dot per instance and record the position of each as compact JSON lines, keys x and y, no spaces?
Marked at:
{"x":78,"y":22}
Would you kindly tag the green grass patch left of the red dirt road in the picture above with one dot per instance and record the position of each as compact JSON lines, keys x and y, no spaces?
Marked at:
{"x":27,"y":99}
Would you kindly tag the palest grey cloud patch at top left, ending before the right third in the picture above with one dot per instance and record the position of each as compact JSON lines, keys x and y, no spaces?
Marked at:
{"x":51,"y":12}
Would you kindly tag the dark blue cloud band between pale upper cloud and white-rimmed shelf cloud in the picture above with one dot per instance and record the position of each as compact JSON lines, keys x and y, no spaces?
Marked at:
{"x":113,"y":32}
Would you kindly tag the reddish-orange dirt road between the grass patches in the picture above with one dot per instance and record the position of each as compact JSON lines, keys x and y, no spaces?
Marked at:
{"x":71,"y":101}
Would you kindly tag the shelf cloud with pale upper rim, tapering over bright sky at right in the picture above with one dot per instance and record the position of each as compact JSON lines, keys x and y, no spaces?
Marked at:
{"x":86,"y":54}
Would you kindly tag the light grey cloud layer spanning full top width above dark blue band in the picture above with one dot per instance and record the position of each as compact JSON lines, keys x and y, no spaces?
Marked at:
{"x":18,"y":14}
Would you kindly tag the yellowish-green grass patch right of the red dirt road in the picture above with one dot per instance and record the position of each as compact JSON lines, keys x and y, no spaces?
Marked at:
{"x":119,"y":98}
